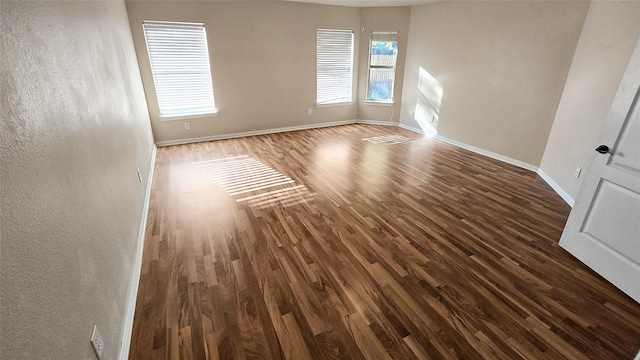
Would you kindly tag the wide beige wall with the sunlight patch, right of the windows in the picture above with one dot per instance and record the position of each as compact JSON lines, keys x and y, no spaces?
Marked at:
{"x":502,"y":66}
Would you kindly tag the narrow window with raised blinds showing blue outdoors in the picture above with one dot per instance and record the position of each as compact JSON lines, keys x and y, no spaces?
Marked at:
{"x":382,"y":66}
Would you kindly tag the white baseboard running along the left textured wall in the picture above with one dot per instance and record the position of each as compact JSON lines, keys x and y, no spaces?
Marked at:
{"x":137,"y":266}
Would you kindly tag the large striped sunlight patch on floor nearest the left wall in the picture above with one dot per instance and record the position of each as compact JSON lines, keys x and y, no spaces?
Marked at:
{"x":260,"y":185}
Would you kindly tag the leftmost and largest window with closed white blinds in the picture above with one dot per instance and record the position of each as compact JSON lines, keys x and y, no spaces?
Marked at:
{"x":180,"y":66}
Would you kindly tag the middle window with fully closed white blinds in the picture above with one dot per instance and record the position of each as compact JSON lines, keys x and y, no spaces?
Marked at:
{"x":334,"y":66}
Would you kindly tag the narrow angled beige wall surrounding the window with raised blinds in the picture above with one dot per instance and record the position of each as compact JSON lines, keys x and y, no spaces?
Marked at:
{"x":382,"y":19}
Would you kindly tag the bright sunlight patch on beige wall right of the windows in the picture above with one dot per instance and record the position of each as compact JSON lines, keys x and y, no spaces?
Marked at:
{"x":430,"y":92}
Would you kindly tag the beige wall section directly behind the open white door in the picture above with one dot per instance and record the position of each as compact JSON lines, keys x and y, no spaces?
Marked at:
{"x":610,"y":32}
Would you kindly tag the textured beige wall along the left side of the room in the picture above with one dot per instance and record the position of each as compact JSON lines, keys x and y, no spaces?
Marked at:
{"x":74,"y":128}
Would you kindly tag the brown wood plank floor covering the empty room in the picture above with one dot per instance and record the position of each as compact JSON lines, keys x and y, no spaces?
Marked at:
{"x":364,"y":242}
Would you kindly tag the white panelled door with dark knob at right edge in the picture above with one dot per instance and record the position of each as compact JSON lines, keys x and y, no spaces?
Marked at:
{"x":603,"y":230}
